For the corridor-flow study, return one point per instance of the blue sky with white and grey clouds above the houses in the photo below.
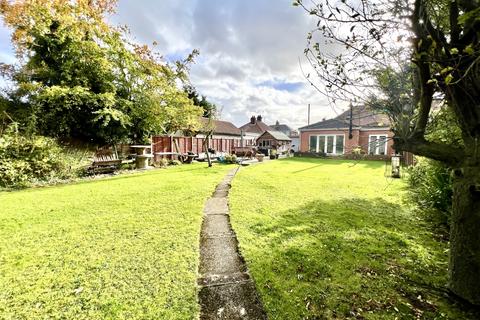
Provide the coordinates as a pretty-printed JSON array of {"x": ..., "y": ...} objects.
[{"x": 250, "y": 51}]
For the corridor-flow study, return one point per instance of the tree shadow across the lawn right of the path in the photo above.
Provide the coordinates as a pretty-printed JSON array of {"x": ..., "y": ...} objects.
[{"x": 344, "y": 258}]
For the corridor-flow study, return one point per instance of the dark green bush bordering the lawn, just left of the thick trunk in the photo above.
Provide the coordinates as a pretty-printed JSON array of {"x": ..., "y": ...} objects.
[{"x": 430, "y": 186}]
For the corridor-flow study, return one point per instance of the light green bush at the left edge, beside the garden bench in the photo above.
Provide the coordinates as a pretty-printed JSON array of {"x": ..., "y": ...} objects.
[{"x": 26, "y": 160}]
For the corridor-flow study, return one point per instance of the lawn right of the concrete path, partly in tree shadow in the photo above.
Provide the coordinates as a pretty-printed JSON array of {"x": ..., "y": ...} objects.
[{"x": 327, "y": 239}]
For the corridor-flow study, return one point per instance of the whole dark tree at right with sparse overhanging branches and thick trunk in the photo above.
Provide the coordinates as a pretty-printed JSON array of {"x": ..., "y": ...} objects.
[{"x": 442, "y": 38}]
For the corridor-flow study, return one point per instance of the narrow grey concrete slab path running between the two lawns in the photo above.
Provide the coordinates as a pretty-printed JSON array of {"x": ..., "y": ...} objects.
[{"x": 226, "y": 288}]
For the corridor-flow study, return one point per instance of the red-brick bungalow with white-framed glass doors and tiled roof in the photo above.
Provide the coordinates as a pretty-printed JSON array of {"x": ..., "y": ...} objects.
[{"x": 370, "y": 134}]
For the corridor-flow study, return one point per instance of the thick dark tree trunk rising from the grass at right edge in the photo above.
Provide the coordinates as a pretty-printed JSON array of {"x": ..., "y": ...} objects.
[{"x": 465, "y": 235}]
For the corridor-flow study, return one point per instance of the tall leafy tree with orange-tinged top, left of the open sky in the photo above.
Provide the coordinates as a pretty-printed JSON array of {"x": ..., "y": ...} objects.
[{"x": 82, "y": 78}]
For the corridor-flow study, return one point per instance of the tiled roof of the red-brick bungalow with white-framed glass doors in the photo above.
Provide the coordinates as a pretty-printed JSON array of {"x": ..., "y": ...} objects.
[{"x": 362, "y": 117}]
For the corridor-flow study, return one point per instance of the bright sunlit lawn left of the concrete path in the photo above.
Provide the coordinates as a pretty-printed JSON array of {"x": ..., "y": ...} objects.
[{"x": 119, "y": 248}]
